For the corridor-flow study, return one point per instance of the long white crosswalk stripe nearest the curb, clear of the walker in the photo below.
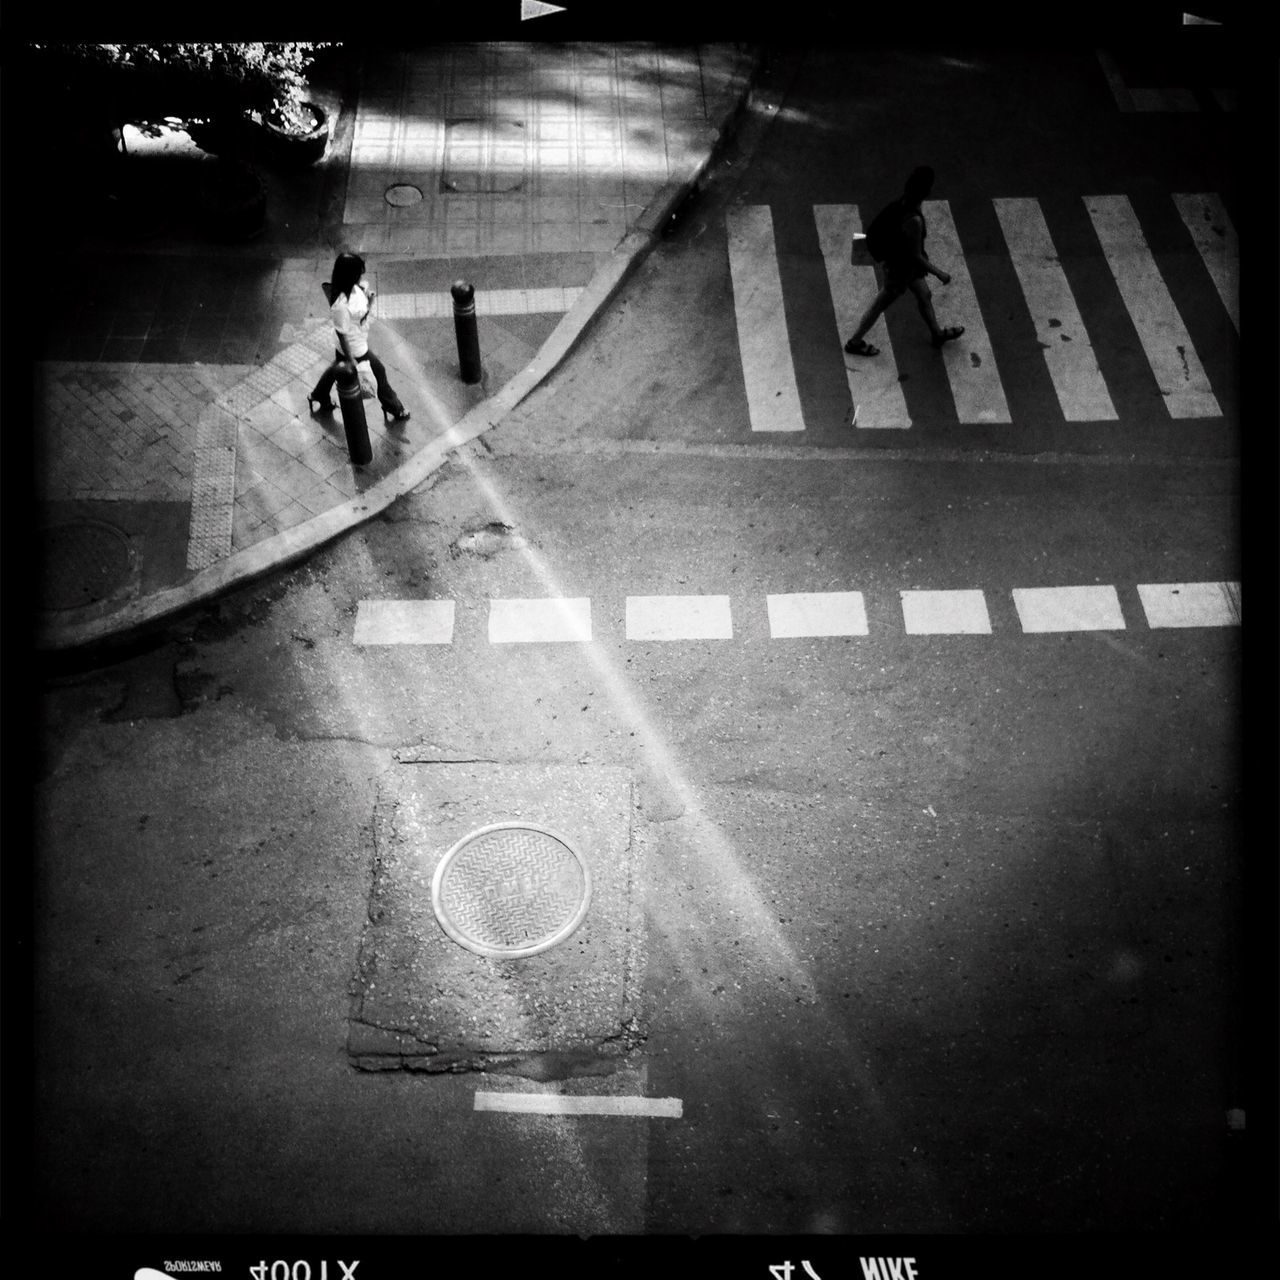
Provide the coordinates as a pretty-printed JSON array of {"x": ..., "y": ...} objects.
[{"x": 772, "y": 396}]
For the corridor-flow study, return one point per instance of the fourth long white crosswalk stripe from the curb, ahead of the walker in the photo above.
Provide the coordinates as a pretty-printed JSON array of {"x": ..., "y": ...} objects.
[{"x": 1068, "y": 353}]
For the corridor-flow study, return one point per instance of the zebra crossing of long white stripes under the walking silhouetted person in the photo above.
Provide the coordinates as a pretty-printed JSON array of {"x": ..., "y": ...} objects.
[{"x": 1064, "y": 332}]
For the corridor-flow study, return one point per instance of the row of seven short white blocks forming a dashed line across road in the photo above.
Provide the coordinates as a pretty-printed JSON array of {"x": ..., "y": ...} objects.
[{"x": 801, "y": 615}]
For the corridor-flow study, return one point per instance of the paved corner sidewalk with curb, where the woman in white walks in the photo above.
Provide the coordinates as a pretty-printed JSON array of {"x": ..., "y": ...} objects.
[{"x": 177, "y": 456}]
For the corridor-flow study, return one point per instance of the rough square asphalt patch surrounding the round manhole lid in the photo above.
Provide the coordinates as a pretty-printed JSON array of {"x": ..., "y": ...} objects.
[{"x": 424, "y": 1003}]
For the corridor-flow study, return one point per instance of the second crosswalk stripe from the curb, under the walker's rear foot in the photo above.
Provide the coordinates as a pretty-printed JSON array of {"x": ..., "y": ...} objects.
[{"x": 874, "y": 385}]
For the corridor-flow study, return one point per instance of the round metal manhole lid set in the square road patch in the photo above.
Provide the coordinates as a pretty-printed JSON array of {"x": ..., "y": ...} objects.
[{"x": 511, "y": 890}]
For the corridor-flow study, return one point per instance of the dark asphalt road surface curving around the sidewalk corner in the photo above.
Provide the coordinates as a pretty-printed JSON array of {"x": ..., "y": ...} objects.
[{"x": 941, "y": 932}]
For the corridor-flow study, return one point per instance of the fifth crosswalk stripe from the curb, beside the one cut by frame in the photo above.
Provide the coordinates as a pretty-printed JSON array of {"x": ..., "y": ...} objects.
[{"x": 1165, "y": 340}]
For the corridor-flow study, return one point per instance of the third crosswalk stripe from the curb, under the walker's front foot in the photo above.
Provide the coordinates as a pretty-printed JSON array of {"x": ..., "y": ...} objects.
[{"x": 971, "y": 363}]
